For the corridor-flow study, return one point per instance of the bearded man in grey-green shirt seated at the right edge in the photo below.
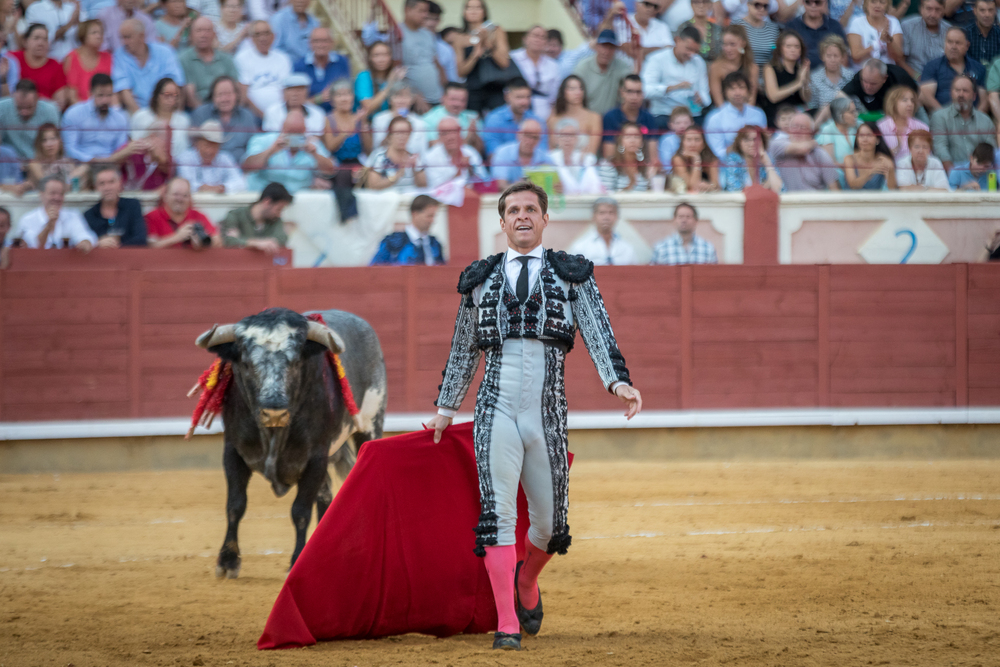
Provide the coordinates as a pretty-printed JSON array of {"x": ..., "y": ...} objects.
[{"x": 958, "y": 128}]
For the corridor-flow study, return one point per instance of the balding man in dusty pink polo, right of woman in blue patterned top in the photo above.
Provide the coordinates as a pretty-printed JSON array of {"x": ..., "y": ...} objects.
[{"x": 801, "y": 163}]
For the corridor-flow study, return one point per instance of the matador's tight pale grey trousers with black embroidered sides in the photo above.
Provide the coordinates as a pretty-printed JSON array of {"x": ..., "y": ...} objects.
[{"x": 521, "y": 437}]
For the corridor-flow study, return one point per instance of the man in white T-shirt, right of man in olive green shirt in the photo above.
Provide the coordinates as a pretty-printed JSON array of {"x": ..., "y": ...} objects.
[{"x": 262, "y": 69}]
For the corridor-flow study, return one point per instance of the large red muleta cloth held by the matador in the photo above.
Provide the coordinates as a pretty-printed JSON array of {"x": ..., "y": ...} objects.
[{"x": 394, "y": 552}]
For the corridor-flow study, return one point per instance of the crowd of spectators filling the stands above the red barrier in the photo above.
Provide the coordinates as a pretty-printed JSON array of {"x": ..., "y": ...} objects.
[{"x": 180, "y": 97}]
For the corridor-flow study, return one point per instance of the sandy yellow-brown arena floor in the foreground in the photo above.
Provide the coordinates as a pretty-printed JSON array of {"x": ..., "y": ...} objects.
[{"x": 748, "y": 564}]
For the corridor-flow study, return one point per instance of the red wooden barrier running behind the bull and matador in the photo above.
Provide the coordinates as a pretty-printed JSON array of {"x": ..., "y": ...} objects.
[{"x": 111, "y": 335}]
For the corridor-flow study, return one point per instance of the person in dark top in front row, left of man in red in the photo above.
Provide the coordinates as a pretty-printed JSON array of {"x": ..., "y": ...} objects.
[{"x": 116, "y": 221}]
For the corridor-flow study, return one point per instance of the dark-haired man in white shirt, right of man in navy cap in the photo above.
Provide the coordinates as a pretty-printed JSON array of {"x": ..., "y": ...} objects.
[{"x": 677, "y": 76}]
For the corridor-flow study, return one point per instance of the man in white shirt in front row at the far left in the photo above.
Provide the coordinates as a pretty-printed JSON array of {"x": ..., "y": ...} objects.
[{"x": 52, "y": 226}]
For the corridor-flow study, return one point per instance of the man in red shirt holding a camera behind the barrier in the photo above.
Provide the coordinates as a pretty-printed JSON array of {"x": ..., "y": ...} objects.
[{"x": 176, "y": 224}]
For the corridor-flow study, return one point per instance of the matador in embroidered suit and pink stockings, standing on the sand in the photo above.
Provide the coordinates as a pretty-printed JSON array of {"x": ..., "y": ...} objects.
[{"x": 522, "y": 308}]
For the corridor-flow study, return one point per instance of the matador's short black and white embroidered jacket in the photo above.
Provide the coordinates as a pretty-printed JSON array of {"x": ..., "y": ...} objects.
[{"x": 563, "y": 300}]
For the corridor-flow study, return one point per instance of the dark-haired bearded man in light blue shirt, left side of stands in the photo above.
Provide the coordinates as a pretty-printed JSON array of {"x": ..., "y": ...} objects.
[{"x": 94, "y": 131}]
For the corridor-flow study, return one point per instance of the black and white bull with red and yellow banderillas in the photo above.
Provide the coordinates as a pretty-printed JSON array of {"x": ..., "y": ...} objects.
[{"x": 284, "y": 413}]
